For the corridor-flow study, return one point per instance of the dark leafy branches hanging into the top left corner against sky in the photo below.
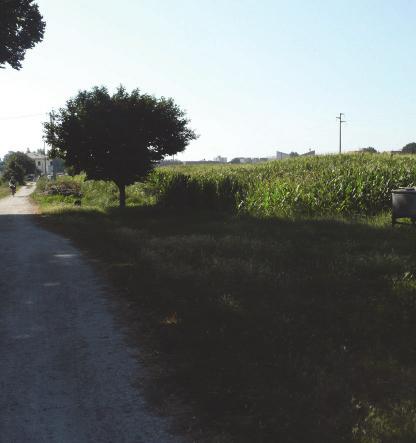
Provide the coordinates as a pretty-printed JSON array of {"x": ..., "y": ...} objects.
[{"x": 21, "y": 27}]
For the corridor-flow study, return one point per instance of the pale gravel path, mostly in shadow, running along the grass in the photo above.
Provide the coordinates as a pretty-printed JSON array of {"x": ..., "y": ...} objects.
[{"x": 65, "y": 371}]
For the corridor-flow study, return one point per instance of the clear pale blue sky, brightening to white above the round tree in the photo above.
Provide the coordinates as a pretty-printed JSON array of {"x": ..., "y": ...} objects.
[{"x": 254, "y": 77}]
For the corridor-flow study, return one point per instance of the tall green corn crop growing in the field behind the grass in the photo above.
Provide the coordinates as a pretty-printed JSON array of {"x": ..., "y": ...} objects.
[{"x": 324, "y": 185}]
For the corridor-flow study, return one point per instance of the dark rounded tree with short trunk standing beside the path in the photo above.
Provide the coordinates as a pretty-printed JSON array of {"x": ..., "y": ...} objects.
[{"x": 118, "y": 137}]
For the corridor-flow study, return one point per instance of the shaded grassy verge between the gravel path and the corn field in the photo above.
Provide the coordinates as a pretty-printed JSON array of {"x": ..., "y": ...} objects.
[{"x": 268, "y": 329}]
